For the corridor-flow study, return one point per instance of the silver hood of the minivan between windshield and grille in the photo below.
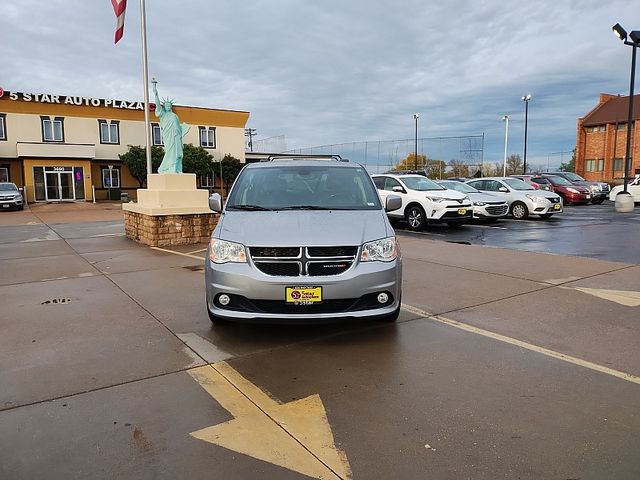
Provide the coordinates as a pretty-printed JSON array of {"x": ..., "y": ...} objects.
[{"x": 293, "y": 228}]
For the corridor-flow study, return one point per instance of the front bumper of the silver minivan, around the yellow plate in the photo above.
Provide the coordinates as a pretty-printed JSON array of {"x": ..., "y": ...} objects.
[{"x": 255, "y": 295}]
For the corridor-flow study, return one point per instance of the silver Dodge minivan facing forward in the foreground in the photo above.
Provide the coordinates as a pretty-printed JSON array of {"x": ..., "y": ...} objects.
[{"x": 301, "y": 240}]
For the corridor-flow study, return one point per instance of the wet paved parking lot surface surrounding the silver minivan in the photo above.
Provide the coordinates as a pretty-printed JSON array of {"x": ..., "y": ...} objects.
[{"x": 505, "y": 363}]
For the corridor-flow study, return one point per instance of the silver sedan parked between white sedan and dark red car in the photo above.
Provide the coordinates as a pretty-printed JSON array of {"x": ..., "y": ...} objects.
[{"x": 523, "y": 199}]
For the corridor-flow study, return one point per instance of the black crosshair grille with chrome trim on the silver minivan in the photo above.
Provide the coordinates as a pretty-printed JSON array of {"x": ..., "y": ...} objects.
[{"x": 303, "y": 261}]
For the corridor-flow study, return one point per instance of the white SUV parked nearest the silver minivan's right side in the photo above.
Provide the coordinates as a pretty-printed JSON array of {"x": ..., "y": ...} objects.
[{"x": 424, "y": 201}]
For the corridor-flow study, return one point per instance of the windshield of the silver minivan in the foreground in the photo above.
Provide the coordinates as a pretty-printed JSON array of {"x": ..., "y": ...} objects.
[{"x": 303, "y": 187}]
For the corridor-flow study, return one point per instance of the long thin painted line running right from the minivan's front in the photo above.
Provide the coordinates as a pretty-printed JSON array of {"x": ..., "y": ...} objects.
[{"x": 529, "y": 346}]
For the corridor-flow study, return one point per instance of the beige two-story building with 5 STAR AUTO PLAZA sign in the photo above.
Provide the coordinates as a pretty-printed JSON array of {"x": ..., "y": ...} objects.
[{"x": 63, "y": 148}]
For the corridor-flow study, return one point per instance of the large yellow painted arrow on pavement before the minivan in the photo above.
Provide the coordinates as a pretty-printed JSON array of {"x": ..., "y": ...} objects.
[{"x": 295, "y": 435}]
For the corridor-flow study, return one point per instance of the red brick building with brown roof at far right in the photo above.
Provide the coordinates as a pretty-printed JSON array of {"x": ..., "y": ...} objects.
[{"x": 602, "y": 137}]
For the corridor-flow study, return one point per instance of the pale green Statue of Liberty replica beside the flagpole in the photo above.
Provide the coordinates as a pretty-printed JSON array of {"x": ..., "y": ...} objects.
[{"x": 172, "y": 132}]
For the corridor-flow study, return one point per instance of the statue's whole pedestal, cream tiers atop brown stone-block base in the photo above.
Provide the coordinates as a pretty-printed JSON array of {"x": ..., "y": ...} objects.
[{"x": 171, "y": 211}]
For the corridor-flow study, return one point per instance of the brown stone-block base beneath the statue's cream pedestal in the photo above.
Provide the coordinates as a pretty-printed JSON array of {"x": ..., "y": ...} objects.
[{"x": 169, "y": 230}]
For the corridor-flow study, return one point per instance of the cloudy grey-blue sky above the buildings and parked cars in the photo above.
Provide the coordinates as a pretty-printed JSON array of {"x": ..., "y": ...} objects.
[{"x": 327, "y": 72}]
